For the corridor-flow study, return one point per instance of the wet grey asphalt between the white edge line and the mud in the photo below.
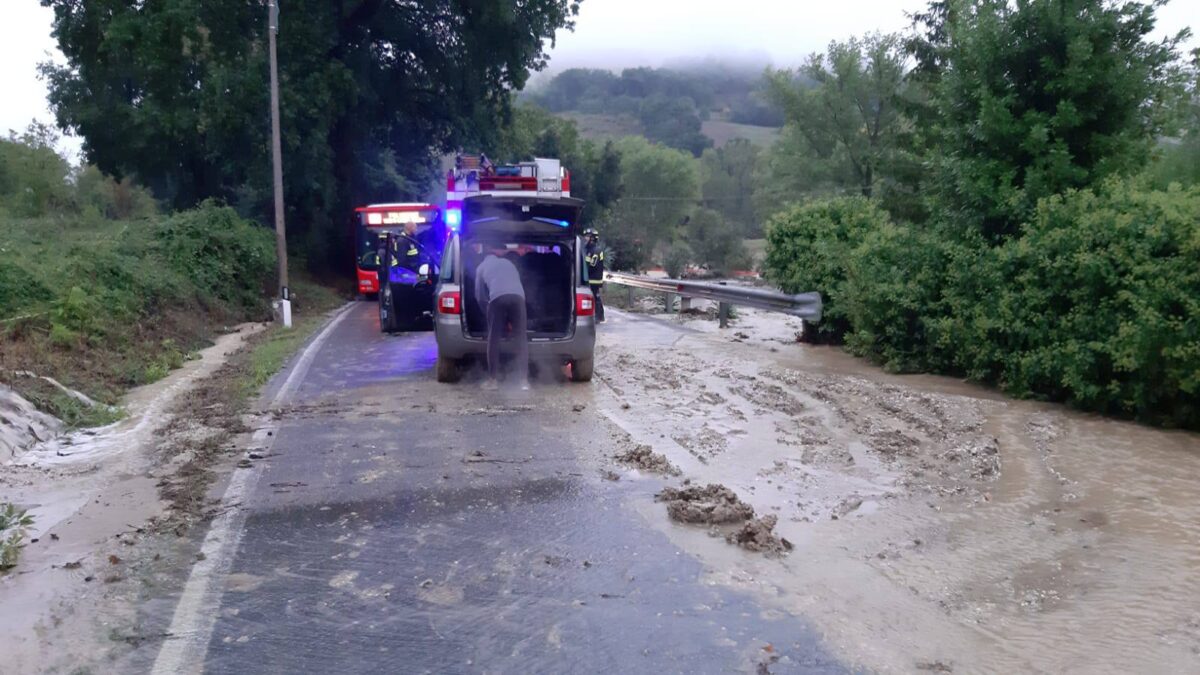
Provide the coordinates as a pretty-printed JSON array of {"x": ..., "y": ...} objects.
[{"x": 409, "y": 527}]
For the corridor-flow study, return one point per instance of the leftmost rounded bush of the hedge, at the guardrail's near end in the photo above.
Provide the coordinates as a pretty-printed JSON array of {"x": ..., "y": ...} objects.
[{"x": 809, "y": 248}]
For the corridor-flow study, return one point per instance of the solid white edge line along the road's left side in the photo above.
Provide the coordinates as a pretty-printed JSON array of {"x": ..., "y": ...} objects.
[{"x": 191, "y": 628}]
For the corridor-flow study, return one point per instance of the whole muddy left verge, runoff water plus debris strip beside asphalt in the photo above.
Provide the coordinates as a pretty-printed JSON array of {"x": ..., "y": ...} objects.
[{"x": 100, "y": 499}]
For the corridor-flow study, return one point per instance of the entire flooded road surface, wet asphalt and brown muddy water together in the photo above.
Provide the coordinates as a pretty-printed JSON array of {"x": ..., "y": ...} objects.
[{"x": 382, "y": 522}]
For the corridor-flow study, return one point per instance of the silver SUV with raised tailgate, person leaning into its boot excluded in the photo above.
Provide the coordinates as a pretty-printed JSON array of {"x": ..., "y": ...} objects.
[{"x": 542, "y": 236}]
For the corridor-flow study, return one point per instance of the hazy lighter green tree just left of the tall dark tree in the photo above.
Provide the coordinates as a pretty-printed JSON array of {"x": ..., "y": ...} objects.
[{"x": 844, "y": 112}]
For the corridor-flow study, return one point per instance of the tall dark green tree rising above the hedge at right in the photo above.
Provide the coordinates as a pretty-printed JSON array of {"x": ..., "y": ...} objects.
[{"x": 1037, "y": 98}]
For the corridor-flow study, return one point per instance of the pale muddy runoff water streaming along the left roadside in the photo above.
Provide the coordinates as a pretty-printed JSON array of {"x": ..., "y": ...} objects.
[{"x": 88, "y": 492}]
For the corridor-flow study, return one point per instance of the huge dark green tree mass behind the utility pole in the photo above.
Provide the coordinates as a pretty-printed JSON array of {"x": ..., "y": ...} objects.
[{"x": 371, "y": 92}]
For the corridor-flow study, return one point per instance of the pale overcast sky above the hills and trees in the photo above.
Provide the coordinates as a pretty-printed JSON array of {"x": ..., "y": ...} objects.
[{"x": 609, "y": 33}]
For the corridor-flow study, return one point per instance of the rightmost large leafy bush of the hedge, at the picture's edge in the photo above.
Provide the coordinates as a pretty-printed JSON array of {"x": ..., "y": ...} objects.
[{"x": 1103, "y": 306}]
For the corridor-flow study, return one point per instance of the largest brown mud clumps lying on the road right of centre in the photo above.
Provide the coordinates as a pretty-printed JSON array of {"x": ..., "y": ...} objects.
[{"x": 717, "y": 505}]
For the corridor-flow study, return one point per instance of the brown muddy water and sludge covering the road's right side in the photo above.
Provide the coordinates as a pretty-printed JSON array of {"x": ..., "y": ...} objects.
[{"x": 938, "y": 524}]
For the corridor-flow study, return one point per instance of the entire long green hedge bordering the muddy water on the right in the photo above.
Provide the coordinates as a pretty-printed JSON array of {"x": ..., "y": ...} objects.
[{"x": 1097, "y": 303}]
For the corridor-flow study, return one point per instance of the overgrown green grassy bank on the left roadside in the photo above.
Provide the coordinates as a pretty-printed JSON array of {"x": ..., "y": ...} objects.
[{"x": 106, "y": 306}]
